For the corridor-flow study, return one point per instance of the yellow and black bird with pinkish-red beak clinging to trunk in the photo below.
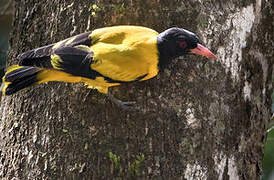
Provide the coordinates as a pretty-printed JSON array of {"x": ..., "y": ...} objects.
[{"x": 103, "y": 58}]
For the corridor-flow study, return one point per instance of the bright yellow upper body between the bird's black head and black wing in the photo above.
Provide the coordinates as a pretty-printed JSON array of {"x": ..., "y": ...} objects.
[{"x": 125, "y": 53}]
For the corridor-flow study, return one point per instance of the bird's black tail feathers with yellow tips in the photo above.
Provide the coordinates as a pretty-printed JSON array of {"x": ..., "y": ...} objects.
[{"x": 19, "y": 77}]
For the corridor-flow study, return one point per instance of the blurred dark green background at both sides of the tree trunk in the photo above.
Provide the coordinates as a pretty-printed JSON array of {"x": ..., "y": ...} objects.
[{"x": 5, "y": 29}]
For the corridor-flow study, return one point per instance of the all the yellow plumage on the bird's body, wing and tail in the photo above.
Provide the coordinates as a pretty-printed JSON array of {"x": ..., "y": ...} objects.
[{"x": 119, "y": 53}]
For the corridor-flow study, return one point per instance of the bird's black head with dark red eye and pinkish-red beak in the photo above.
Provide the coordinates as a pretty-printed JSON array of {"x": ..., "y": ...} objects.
[{"x": 175, "y": 42}]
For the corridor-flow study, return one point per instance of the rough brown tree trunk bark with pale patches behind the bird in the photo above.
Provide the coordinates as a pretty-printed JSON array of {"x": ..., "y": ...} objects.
[{"x": 196, "y": 120}]
